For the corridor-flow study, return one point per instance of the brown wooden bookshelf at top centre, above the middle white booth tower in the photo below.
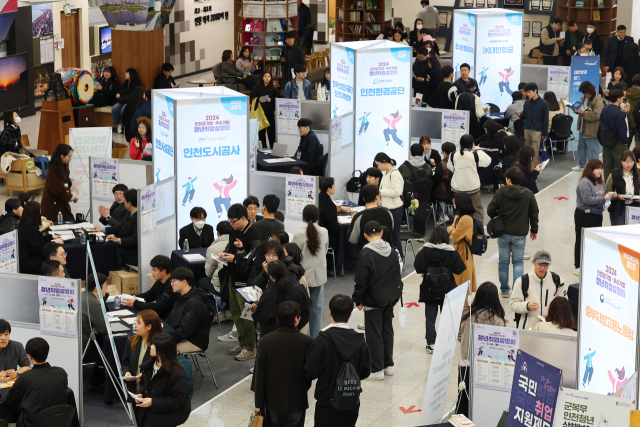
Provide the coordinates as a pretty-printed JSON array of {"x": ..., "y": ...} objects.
[{"x": 359, "y": 19}]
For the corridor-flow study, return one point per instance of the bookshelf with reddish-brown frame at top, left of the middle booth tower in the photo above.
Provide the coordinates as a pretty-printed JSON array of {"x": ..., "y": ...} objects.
[{"x": 261, "y": 26}]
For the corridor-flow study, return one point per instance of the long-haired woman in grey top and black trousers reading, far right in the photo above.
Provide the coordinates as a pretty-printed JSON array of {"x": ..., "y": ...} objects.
[{"x": 591, "y": 195}]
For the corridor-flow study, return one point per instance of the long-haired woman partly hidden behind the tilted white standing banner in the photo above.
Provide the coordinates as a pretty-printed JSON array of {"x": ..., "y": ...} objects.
[{"x": 485, "y": 309}]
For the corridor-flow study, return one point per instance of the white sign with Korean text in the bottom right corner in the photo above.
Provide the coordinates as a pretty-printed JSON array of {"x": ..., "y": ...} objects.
[{"x": 583, "y": 409}]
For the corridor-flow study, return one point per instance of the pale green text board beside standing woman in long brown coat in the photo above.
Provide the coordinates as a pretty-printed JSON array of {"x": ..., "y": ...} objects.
[{"x": 86, "y": 142}]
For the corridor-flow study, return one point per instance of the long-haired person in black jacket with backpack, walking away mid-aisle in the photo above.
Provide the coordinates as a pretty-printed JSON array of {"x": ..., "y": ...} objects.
[{"x": 437, "y": 261}]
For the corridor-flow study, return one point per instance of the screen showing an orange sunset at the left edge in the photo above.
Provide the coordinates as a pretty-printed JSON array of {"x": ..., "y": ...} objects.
[{"x": 14, "y": 82}]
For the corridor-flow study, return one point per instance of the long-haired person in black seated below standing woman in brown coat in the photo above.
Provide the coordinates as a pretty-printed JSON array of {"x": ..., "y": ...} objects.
[{"x": 31, "y": 240}]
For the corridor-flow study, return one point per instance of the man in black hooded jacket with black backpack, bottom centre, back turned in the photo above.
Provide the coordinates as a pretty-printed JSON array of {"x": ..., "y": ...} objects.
[{"x": 338, "y": 352}]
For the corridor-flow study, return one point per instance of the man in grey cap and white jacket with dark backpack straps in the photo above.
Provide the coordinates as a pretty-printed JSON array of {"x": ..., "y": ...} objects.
[{"x": 532, "y": 293}]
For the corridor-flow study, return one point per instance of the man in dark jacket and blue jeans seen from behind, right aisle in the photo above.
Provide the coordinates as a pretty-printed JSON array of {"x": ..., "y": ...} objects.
[{"x": 518, "y": 209}]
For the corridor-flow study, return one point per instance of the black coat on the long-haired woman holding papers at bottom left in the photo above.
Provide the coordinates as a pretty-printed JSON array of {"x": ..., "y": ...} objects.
[{"x": 169, "y": 393}]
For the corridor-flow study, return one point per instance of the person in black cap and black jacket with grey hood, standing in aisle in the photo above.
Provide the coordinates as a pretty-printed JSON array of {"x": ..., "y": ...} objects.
[{"x": 378, "y": 285}]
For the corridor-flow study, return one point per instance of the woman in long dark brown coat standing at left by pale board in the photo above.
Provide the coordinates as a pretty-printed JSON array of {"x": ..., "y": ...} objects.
[{"x": 57, "y": 186}]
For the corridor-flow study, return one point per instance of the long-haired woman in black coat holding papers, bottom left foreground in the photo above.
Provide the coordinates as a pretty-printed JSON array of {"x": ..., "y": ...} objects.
[{"x": 164, "y": 387}]
